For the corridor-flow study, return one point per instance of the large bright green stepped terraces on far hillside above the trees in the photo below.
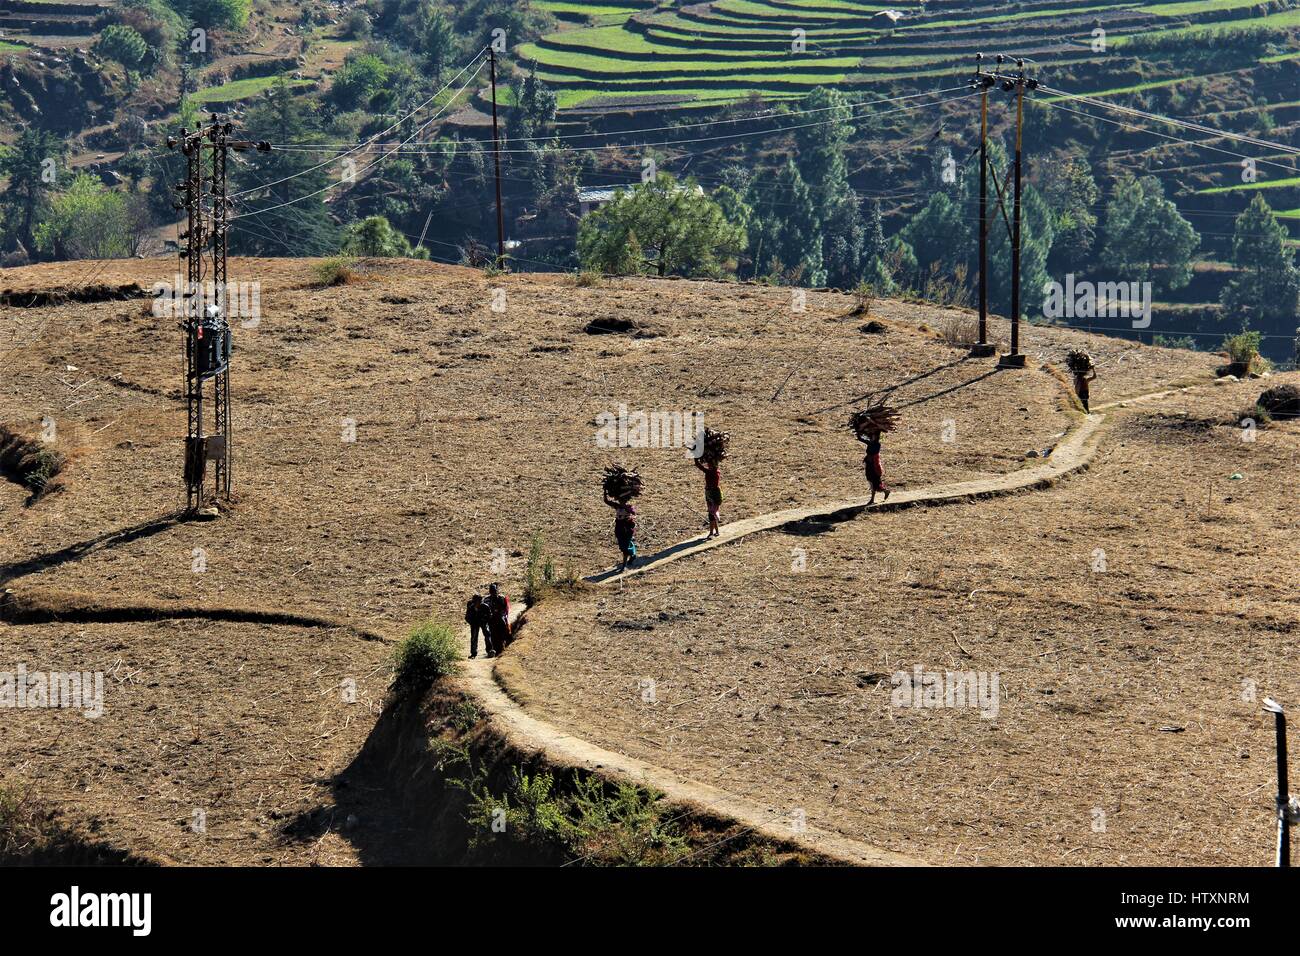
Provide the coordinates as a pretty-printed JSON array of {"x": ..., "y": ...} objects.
[{"x": 619, "y": 54}]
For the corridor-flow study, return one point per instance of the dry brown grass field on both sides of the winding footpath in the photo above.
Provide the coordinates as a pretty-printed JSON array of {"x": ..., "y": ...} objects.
[{"x": 475, "y": 427}]
